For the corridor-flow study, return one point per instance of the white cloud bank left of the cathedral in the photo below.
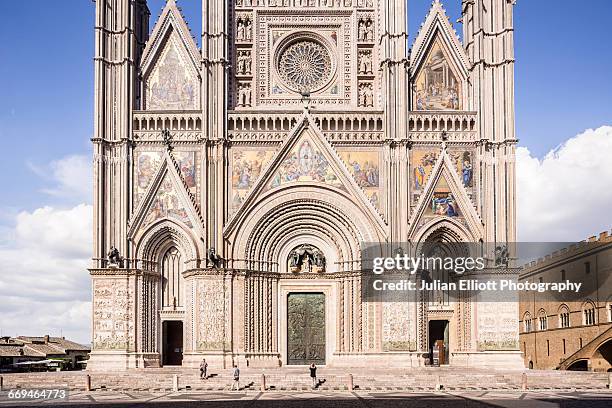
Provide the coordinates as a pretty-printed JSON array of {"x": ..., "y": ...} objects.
[{"x": 44, "y": 256}]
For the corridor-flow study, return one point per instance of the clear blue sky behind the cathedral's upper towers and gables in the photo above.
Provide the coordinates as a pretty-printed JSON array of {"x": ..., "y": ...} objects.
[{"x": 563, "y": 85}]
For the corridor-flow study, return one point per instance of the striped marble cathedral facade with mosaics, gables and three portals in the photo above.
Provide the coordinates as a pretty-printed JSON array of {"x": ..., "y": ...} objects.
[{"x": 237, "y": 183}]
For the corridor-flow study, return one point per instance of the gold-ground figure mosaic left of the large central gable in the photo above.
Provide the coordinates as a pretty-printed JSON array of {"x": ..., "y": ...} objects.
[{"x": 246, "y": 169}]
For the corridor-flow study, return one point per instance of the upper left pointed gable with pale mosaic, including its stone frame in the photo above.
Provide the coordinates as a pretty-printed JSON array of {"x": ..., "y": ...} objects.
[{"x": 170, "y": 64}]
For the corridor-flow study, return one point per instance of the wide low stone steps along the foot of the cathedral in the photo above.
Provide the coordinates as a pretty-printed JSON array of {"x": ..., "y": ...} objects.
[{"x": 334, "y": 379}]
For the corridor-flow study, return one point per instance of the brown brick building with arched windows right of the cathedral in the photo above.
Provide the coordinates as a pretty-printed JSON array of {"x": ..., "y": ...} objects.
[{"x": 565, "y": 332}]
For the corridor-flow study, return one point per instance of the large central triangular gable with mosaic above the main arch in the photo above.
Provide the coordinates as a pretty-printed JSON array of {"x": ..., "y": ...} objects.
[{"x": 306, "y": 158}]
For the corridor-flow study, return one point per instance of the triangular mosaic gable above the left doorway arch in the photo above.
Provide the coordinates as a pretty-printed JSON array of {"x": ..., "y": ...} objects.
[{"x": 167, "y": 197}]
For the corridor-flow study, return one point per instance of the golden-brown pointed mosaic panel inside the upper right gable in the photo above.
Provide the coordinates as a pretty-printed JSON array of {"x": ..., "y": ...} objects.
[{"x": 436, "y": 85}]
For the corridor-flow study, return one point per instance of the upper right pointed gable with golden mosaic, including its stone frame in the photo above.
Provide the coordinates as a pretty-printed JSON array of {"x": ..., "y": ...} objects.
[{"x": 439, "y": 65}]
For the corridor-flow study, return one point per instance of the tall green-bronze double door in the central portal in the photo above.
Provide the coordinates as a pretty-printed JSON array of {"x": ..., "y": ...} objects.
[{"x": 305, "y": 328}]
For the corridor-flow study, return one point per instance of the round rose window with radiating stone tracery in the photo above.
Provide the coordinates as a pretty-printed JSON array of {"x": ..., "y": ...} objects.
[{"x": 305, "y": 65}]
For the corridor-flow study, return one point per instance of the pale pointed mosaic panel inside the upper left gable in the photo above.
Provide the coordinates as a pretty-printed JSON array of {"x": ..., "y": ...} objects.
[{"x": 172, "y": 85}]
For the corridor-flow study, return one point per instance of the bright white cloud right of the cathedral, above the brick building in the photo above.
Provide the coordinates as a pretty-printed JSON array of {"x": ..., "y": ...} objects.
[{"x": 566, "y": 196}]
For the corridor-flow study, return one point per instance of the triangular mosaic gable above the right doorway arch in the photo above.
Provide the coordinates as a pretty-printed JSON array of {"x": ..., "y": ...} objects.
[{"x": 444, "y": 196}]
